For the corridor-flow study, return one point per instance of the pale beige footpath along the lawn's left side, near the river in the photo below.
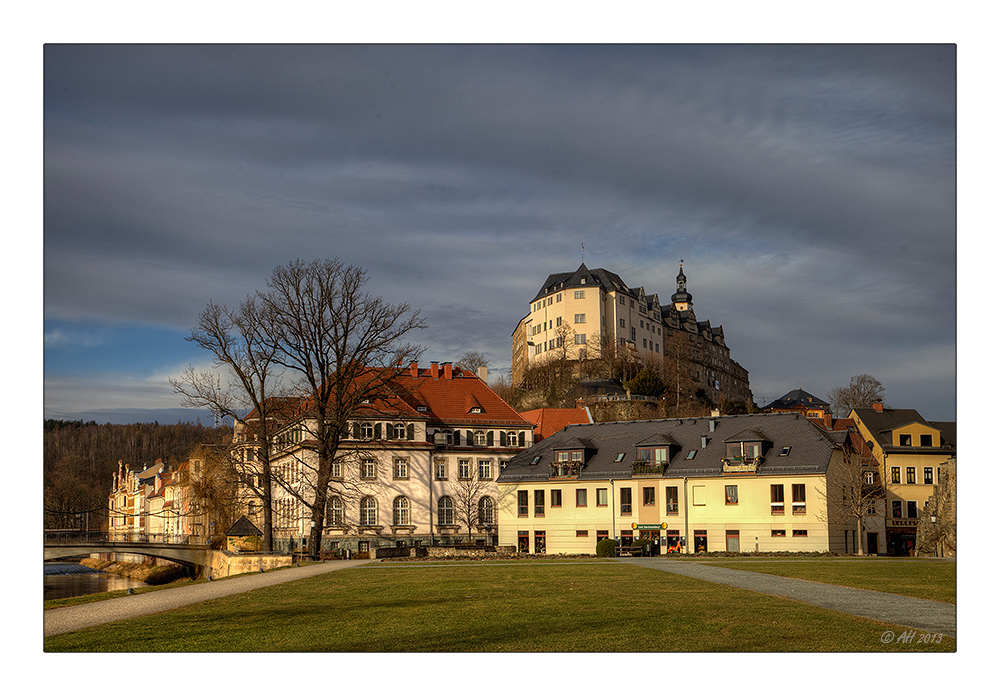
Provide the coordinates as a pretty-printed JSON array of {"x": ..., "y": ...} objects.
[{"x": 74, "y": 618}]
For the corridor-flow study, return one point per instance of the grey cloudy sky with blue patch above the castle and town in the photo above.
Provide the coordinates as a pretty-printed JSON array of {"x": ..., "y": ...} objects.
[{"x": 810, "y": 191}]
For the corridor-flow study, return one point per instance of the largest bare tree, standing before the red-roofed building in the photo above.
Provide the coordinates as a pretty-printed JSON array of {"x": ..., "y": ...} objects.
[{"x": 344, "y": 345}]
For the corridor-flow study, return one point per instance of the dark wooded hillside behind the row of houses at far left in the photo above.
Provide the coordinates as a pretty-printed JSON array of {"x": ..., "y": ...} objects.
[{"x": 80, "y": 459}]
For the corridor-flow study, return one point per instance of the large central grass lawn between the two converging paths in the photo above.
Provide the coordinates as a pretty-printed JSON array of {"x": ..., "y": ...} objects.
[{"x": 536, "y": 607}]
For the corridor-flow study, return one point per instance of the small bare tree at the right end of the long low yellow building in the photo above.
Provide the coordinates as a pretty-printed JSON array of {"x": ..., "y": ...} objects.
[{"x": 854, "y": 490}]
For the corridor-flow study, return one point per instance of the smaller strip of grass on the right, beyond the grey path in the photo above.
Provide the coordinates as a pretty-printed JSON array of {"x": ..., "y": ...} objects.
[{"x": 926, "y": 579}]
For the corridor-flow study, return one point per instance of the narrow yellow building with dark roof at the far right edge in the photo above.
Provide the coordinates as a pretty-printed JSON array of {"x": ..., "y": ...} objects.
[{"x": 911, "y": 452}]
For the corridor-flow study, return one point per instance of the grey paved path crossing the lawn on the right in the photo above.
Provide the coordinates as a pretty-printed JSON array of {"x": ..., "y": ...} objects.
[{"x": 922, "y": 614}]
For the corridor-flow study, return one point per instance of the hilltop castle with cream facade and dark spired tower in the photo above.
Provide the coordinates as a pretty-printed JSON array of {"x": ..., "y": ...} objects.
[{"x": 588, "y": 313}]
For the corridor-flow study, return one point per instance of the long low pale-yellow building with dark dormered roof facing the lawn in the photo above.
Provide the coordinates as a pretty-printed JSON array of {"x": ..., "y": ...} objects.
[{"x": 724, "y": 483}]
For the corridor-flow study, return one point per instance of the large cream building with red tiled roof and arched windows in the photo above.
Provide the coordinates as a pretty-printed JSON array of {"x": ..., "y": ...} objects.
[{"x": 416, "y": 468}]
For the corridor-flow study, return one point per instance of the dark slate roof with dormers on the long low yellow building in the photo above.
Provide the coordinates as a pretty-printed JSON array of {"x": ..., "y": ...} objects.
[{"x": 810, "y": 447}]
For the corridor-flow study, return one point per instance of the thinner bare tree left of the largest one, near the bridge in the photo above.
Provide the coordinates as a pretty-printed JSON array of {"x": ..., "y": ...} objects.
[{"x": 240, "y": 348}]
